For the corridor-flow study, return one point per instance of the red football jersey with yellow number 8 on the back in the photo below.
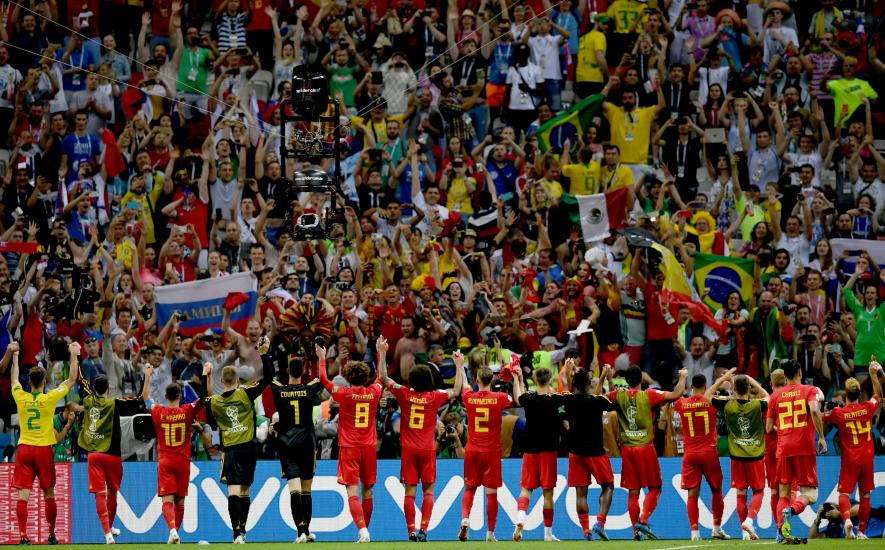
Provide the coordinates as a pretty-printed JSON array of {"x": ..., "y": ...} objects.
[{"x": 356, "y": 417}]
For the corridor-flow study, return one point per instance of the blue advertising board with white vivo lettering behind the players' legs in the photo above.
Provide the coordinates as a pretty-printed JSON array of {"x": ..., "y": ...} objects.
[{"x": 140, "y": 519}]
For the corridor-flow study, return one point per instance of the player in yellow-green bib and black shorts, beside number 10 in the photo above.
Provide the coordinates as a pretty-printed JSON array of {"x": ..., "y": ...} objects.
[{"x": 233, "y": 412}]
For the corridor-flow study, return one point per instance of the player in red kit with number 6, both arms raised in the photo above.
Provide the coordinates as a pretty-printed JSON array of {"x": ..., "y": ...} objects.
[{"x": 419, "y": 405}]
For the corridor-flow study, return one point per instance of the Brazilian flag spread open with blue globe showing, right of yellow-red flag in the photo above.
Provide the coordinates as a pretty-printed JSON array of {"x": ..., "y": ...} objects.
[{"x": 721, "y": 275}]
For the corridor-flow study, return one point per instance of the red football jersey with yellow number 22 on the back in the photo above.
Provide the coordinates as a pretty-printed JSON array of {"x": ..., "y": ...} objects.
[{"x": 790, "y": 407}]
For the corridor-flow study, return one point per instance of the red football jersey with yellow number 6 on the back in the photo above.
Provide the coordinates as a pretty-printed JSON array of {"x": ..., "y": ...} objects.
[{"x": 417, "y": 425}]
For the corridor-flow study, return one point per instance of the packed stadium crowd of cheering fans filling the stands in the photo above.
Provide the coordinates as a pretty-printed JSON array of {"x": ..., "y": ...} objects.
[{"x": 142, "y": 151}]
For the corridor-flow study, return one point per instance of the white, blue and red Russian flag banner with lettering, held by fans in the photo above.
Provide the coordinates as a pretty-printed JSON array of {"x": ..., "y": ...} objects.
[{"x": 203, "y": 302}]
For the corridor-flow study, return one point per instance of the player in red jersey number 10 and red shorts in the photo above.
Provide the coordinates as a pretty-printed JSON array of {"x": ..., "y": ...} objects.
[{"x": 173, "y": 423}]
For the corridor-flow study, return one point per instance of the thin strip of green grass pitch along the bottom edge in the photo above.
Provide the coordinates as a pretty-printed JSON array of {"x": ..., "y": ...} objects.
[{"x": 818, "y": 544}]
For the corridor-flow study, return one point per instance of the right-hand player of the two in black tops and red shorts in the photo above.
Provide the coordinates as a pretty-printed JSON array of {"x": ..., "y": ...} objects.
[{"x": 587, "y": 456}]
